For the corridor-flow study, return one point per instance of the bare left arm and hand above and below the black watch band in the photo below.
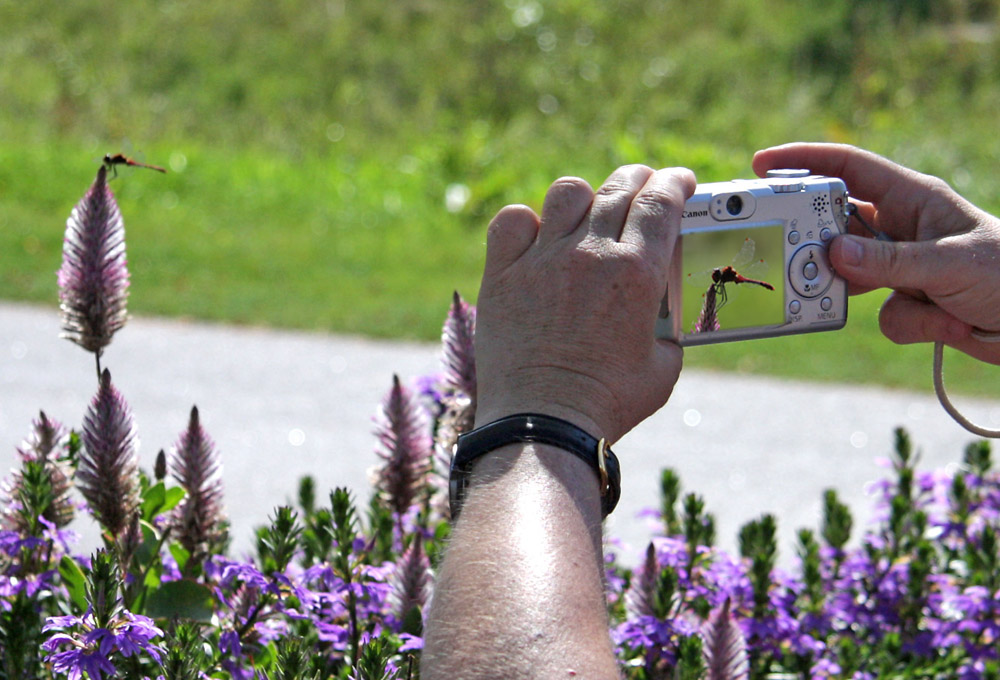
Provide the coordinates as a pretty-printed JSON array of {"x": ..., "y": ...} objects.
[{"x": 564, "y": 328}]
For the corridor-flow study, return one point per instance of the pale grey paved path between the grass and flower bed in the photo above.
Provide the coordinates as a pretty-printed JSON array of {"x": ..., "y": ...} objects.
[{"x": 283, "y": 404}]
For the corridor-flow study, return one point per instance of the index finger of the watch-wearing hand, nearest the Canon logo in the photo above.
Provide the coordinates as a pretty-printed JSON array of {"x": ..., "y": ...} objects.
[{"x": 654, "y": 218}]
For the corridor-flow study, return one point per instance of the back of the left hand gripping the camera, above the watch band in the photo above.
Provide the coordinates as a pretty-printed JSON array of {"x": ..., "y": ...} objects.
[{"x": 568, "y": 302}]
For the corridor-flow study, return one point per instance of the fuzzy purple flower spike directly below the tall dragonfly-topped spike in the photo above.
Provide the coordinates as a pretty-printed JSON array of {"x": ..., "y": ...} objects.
[{"x": 108, "y": 475}]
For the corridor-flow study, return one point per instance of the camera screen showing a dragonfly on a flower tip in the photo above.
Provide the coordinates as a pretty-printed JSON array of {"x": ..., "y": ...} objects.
[{"x": 733, "y": 278}]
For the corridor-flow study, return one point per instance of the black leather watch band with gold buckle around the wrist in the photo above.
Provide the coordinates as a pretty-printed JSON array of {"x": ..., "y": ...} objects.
[{"x": 531, "y": 427}]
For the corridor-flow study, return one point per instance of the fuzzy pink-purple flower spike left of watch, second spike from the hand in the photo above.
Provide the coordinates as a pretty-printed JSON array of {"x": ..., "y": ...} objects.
[{"x": 404, "y": 444}]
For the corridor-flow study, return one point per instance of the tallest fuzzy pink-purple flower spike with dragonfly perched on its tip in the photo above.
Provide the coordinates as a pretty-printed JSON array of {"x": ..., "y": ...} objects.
[{"x": 94, "y": 278}]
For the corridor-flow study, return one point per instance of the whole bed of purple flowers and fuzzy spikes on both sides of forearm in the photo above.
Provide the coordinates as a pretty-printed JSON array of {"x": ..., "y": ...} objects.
[{"x": 336, "y": 593}]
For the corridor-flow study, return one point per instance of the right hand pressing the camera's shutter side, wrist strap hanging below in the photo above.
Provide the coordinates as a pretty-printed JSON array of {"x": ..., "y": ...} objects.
[{"x": 944, "y": 263}]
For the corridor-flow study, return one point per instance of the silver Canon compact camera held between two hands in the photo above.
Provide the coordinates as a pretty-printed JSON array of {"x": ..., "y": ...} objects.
[{"x": 752, "y": 260}]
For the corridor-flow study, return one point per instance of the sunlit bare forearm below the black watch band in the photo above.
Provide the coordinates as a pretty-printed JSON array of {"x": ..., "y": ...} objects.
[{"x": 520, "y": 592}]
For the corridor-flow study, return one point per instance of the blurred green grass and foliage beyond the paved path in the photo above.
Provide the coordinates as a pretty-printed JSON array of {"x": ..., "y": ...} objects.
[{"x": 334, "y": 164}]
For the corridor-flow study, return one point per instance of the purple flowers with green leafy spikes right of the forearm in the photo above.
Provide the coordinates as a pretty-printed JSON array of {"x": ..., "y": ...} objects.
[{"x": 919, "y": 596}]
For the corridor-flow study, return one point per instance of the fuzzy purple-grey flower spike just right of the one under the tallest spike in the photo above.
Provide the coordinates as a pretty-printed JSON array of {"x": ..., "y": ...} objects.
[{"x": 194, "y": 462}]
